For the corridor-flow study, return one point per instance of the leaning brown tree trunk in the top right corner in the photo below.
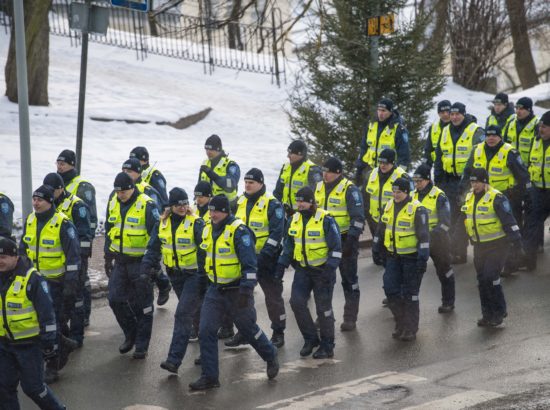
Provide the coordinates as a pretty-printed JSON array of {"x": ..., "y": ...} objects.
[{"x": 525, "y": 65}]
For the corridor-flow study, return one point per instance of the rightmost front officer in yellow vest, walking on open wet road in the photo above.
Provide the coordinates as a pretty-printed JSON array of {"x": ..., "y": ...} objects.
[{"x": 491, "y": 227}]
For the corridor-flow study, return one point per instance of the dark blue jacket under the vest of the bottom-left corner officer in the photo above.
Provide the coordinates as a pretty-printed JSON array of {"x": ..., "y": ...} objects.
[{"x": 39, "y": 294}]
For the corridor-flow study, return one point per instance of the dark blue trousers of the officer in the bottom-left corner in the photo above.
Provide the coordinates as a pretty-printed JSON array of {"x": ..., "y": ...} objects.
[{"x": 25, "y": 364}]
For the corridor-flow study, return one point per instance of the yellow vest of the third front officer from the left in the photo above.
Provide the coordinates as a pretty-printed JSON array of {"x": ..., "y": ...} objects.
[{"x": 134, "y": 230}]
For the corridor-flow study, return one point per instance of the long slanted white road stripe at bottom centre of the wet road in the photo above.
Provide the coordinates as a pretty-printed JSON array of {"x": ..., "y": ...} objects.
[{"x": 331, "y": 395}]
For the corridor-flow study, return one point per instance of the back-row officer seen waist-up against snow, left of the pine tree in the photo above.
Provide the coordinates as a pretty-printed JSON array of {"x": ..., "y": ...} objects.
[{"x": 221, "y": 172}]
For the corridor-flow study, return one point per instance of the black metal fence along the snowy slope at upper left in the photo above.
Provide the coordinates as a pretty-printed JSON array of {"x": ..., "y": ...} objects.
[{"x": 213, "y": 43}]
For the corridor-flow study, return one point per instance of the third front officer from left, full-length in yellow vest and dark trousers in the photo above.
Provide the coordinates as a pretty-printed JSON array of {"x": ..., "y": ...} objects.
[{"x": 131, "y": 217}]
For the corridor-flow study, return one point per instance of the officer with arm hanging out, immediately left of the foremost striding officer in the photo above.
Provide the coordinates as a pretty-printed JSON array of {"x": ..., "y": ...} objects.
[{"x": 176, "y": 238}]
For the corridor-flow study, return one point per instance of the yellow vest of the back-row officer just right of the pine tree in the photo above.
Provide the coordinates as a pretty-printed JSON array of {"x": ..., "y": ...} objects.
[{"x": 455, "y": 157}]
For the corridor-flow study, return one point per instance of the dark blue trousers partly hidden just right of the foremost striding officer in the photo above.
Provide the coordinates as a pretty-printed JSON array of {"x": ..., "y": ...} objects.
[{"x": 273, "y": 292}]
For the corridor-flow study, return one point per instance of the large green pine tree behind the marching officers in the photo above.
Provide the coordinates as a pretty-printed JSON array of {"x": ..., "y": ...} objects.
[{"x": 337, "y": 91}]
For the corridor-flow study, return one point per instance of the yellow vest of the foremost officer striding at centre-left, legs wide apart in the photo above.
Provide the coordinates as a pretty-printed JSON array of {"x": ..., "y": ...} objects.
[{"x": 221, "y": 263}]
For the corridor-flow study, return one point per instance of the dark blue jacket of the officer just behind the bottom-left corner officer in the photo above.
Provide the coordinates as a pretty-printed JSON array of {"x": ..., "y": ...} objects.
[{"x": 69, "y": 243}]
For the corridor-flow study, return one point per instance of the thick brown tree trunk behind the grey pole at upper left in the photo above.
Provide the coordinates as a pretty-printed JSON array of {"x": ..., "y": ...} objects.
[{"x": 37, "y": 32}]
